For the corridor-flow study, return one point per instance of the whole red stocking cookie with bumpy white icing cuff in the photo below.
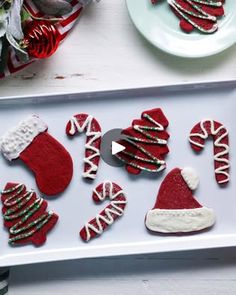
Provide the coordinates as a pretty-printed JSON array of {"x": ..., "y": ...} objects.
[{"x": 42, "y": 154}]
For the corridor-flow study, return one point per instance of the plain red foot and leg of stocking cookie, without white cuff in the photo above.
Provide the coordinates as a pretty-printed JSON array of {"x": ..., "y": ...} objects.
[{"x": 50, "y": 162}]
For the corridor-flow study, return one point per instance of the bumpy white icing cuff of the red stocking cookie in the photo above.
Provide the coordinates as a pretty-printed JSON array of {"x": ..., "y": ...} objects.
[{"x": 16, "y": 140}]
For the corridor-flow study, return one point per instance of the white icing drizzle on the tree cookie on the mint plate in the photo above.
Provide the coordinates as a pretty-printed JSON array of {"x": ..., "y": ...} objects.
[{"x": 185, "y": 13}]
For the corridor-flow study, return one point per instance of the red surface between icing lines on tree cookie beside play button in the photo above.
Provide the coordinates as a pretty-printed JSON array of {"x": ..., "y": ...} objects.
[{"x": 157, "y": 150}]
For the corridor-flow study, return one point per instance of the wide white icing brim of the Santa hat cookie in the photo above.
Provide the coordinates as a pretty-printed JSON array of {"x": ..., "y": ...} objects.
[{"x": 181, "y": 220}]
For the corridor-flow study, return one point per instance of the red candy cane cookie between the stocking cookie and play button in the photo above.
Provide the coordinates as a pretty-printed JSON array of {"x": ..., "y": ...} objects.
[{"x": 86, "y": 123}]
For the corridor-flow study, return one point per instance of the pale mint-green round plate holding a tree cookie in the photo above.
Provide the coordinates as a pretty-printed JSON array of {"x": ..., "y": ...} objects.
[{"x": 159, "y": 25}]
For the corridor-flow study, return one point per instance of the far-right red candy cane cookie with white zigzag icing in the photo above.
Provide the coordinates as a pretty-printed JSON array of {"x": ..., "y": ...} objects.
[{"x": 218, "y": 131}]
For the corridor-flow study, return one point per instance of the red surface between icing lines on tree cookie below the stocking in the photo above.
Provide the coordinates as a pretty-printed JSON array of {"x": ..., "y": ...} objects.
[{"x": 39, "y": 237}]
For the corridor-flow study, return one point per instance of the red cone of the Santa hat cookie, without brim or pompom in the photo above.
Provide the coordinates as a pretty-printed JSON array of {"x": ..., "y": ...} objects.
[{"x": 174, "y": 193}]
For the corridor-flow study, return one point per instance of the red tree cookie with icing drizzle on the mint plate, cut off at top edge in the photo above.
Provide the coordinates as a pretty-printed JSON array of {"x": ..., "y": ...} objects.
[{"x": 198, "y": 14}]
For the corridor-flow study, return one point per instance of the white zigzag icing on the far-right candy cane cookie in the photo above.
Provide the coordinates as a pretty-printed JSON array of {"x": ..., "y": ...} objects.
[{"x": 220, "y": 156}]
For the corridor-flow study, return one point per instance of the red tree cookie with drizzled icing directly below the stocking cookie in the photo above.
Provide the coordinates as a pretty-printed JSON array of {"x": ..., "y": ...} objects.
[{"x": 25, "y": 215}]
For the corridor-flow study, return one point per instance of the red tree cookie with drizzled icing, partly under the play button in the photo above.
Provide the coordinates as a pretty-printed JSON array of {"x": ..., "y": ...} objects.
[{"x": 145, "y": 143}]
